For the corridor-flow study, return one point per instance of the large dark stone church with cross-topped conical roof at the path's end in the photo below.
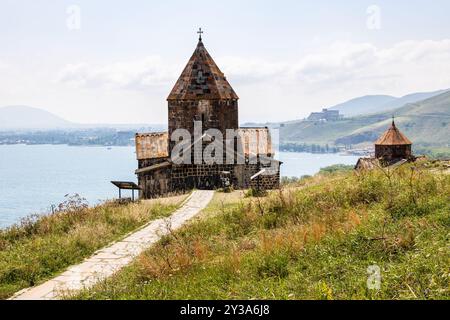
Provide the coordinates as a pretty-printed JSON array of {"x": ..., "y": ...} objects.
[{"x": 202, "y": 97}]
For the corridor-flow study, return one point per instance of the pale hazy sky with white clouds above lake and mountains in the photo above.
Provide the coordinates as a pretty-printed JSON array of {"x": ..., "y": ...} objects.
[{"x": 105, "y": 61}]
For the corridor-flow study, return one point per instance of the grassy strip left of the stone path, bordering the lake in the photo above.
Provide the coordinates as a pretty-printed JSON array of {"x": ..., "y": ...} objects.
[{"x": 42, "y": 246}]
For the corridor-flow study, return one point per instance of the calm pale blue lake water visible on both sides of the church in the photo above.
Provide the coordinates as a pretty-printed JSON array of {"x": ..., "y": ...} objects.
[{"x": 32, "y": 178}]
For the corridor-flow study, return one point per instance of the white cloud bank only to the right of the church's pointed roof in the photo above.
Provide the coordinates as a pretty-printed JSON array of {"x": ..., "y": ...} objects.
[{"x": 350, "y": 63}]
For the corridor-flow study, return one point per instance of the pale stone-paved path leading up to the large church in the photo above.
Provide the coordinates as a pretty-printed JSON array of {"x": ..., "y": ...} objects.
[{"x": 109, "y": 260}]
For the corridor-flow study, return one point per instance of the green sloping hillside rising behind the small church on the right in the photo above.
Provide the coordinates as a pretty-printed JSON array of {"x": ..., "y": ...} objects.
[{"x": 426, "y": 123}]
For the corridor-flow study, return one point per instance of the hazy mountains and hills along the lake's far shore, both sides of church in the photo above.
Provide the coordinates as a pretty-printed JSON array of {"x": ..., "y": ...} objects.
[{"x": 423, "y": 117}]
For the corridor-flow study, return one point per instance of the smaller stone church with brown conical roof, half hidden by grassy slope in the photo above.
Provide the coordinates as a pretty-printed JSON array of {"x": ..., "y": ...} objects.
[{"x": 391, "y": 148}]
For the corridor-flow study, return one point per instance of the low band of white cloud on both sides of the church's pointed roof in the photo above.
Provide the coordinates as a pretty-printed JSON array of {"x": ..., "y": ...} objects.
[{"x": 408, "y": 65}]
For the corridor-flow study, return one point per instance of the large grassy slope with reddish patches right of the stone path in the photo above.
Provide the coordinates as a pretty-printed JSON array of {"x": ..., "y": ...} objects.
[{"x": 314, "y": 240}]
